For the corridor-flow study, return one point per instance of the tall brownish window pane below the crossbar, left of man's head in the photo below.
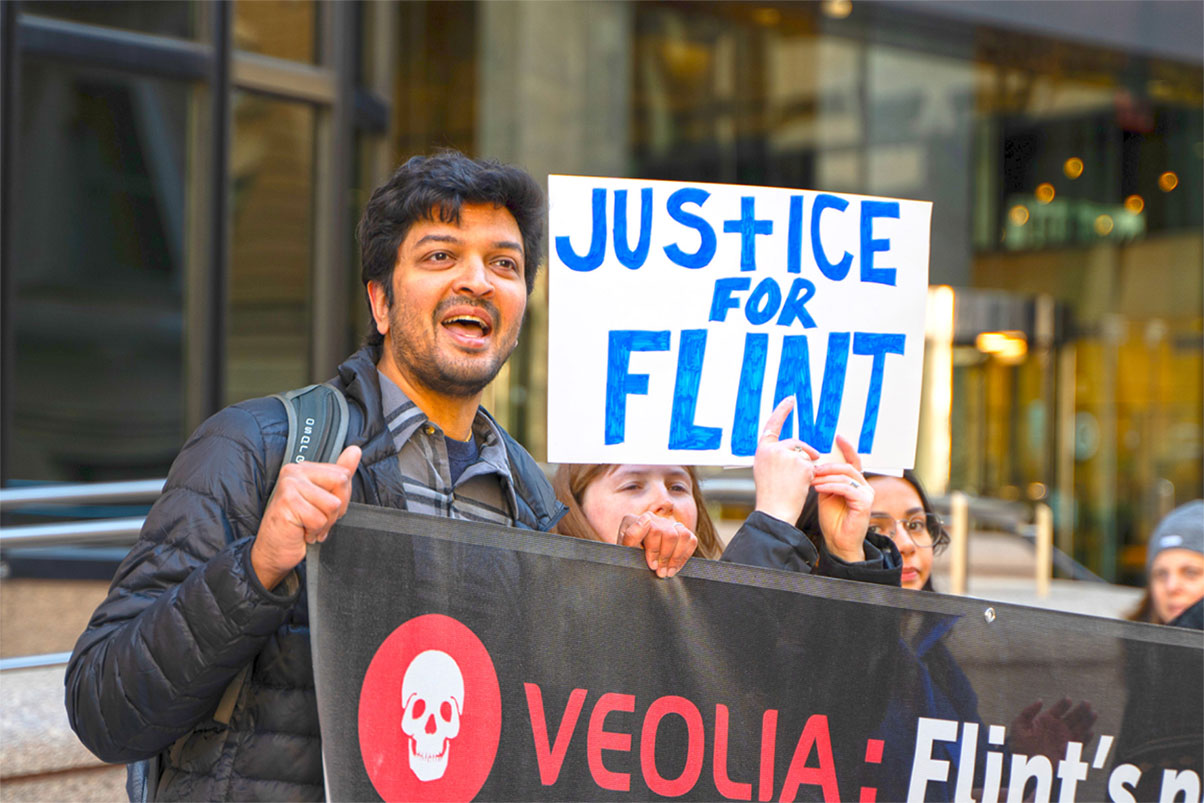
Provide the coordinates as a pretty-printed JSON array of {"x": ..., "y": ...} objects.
[{"x": 272, "y": 251}]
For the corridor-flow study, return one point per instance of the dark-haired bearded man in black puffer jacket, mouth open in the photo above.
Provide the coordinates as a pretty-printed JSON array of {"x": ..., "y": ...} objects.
[{"x": 200, "y": 654}]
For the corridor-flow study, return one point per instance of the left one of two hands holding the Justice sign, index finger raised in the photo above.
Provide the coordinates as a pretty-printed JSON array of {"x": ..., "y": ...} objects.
[{"x": 782, "y": 470}]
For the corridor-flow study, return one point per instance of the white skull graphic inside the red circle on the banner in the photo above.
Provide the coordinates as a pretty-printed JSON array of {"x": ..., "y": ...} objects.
[{"x": 433, "y": 700}]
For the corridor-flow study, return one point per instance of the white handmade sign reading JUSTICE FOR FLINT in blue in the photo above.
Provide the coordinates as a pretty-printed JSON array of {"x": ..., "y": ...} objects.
[{"x": 681, "y": 314}]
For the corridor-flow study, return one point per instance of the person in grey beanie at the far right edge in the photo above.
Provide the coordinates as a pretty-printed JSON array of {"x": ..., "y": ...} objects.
[{"x": 1176, "y": 569}]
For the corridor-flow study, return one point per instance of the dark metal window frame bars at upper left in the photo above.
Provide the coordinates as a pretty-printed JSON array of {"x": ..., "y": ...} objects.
[{"x": 211, "y": 64}]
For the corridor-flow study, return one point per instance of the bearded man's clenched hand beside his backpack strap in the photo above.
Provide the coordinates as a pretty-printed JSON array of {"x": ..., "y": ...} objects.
[{"x": 309, "y": 499}]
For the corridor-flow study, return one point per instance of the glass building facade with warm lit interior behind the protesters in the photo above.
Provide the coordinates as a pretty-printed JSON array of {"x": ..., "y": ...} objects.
[{"x": 182, "y": 180}]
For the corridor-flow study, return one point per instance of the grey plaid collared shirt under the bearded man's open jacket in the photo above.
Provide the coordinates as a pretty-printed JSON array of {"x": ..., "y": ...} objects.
[{"x": 483, "y": 493}]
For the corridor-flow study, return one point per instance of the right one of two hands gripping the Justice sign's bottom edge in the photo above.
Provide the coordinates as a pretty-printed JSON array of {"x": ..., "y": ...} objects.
[{"x": 846, "y": 500}]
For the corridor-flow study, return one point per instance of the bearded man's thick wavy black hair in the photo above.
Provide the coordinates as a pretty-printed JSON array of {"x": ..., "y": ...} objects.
[{"x": 426, "y": 188}]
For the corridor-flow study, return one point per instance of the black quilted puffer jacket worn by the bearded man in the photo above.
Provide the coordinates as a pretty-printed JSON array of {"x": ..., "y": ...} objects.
[{"x": 186, "y": 613}]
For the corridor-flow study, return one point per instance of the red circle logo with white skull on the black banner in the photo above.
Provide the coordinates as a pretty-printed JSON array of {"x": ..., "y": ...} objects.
[{"x": 430, "y": 713}]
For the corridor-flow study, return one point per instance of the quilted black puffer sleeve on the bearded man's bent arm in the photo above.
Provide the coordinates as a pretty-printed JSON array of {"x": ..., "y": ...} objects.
[{"x": 186, "y": 611}]
